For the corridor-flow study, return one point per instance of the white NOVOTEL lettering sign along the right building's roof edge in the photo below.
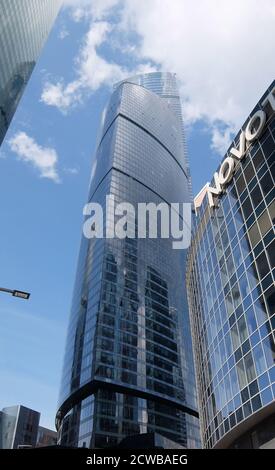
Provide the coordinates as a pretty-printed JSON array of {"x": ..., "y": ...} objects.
[{"x": 251, "y": 133}]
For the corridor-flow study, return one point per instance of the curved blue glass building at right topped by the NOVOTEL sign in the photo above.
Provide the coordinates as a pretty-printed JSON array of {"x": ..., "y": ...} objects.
[{"x": 231, "y": 293}]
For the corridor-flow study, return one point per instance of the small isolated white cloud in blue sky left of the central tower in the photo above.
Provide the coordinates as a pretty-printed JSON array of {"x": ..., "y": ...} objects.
[{"x": 44, "y": 159}]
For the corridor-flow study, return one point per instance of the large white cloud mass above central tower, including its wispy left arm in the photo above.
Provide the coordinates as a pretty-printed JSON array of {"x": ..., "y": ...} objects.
[{"x": 221, "y": 51}]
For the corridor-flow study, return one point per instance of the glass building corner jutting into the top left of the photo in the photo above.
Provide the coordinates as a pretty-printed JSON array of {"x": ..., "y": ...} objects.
[{"x": 24, "y": 28}]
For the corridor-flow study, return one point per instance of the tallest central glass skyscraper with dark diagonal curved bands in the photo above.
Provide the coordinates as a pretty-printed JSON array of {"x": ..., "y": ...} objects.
[{"x": 128, "y": 365}]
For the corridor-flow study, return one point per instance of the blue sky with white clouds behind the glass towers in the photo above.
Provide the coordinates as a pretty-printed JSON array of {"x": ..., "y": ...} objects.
[{"x": 47, "y": 154}]
